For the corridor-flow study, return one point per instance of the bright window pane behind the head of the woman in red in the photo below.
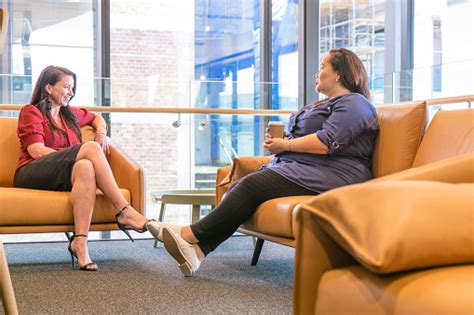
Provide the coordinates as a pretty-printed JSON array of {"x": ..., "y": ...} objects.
[{"x": 49, "y": 32}]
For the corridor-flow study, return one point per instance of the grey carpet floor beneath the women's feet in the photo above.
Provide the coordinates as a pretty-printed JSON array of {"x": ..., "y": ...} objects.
[{"x": 136, "y": 278}]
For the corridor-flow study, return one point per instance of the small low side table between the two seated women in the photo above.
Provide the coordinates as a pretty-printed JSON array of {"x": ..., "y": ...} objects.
[{"x": 194, "y": 197}]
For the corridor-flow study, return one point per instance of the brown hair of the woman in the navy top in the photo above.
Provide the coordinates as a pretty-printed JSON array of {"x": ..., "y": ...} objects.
[{"x": 351, "y": 70}]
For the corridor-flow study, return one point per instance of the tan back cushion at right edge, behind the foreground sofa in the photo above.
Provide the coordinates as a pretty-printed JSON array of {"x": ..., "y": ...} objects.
[{"x": 450, "y": 133}]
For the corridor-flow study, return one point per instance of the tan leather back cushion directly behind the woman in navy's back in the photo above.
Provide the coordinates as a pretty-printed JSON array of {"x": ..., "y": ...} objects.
[{"x": 401, "y": 130}]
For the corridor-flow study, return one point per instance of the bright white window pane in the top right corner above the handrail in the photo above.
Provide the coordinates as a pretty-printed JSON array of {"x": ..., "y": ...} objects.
[{"x": 443, "y": 48}]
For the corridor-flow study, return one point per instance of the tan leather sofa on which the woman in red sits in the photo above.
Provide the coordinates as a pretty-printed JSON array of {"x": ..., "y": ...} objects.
[{"x": 33, "y": 211}]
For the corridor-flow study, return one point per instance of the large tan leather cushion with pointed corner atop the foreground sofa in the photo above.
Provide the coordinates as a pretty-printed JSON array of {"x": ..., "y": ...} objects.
[{"x": 400, "y": 225}]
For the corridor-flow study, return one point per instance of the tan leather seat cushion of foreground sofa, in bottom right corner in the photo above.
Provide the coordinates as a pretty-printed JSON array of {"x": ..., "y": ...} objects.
[{"x": 354, "y": 290}]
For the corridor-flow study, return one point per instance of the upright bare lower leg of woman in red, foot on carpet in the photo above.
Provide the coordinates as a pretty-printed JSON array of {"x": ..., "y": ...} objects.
[{"x": 83, "y": 199}]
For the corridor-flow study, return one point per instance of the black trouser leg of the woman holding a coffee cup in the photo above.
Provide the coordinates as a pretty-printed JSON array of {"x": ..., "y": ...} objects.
[{"x": 240, "y": 204}]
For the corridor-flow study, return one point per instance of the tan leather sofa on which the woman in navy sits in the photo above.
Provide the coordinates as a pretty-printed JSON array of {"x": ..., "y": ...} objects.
[{"x": 401, "y": 129}]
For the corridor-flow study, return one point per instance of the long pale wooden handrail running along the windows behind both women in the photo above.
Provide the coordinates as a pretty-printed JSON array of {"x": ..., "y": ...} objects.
[{"x": 228, "y": 111}]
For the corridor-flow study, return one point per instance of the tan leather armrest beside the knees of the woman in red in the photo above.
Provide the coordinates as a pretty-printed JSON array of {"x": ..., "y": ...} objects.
[{"x": 128, "y": 175}]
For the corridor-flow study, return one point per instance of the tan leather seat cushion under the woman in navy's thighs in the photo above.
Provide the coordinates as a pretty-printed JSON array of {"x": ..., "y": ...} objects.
[{"x": 276, "y": 217}]
